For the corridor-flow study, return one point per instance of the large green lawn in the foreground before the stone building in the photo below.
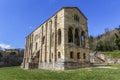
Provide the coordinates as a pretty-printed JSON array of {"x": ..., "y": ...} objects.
[{"x": 16, "y": 73}]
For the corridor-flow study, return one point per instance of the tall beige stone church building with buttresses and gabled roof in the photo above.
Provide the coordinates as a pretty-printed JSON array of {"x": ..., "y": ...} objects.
[{"x": 60, "y": 43}]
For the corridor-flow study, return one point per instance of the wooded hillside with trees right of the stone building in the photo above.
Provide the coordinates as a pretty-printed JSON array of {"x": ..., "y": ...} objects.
[{"x": 108, "y": 41}]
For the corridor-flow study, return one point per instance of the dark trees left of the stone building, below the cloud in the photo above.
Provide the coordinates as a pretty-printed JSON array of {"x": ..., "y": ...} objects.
[{"x": 11, "y": 58}]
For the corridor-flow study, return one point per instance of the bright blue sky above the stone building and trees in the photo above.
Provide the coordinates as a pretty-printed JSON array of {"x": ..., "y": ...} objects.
[{"x": 18, "y": 18}]
